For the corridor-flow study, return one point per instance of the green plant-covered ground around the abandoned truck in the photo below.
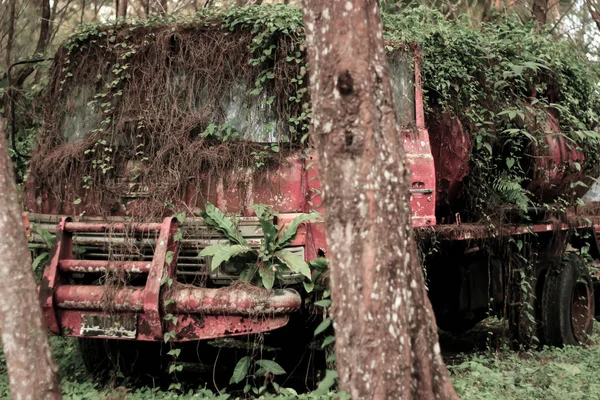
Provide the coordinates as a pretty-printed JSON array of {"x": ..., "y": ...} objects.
[{"x": 481, "y": 367}]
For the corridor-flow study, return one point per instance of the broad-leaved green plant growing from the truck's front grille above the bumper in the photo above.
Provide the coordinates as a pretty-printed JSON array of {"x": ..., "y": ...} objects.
[{"x": 268, "y": 261}]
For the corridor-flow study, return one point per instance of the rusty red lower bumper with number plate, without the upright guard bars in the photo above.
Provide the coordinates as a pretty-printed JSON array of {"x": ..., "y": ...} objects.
[{"x": 197, "y": 313}]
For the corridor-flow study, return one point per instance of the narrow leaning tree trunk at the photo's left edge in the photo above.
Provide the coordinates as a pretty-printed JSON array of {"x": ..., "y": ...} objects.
[{"x": 32, "y": 374}]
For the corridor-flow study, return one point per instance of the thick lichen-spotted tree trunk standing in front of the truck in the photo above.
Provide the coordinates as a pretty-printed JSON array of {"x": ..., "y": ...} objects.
[{"x": 386, "y": 336}]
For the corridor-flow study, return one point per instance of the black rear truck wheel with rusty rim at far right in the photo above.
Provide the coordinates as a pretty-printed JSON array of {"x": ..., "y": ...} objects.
[{"x": 568, "y": 303}]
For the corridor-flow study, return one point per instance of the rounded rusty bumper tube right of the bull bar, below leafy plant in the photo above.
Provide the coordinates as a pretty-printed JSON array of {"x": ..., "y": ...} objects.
[{"x": 235, "y": 300}]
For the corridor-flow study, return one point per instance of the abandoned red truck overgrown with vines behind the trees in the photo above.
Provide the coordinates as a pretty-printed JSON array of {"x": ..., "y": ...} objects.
[{"x": 113, "y": 230}]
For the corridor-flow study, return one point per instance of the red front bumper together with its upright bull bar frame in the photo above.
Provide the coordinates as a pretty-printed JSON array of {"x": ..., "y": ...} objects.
[{"x": 161, "y": 306}]
